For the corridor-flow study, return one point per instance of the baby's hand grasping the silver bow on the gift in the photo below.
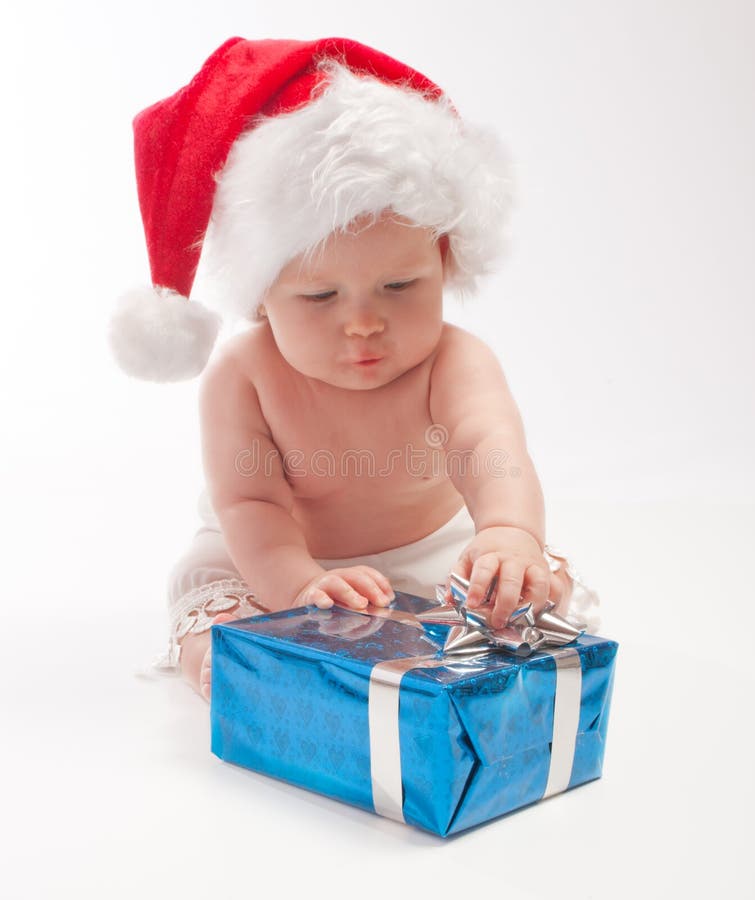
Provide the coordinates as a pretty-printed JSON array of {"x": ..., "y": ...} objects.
[{"x": 523, "y": 573}]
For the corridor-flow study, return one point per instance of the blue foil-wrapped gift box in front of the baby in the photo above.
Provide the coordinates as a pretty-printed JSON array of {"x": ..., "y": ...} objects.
[{"x": 367, "y": 708}]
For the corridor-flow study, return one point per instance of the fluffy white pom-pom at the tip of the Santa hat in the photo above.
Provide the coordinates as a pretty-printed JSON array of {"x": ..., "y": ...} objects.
[{"x": 158, "y": 335}]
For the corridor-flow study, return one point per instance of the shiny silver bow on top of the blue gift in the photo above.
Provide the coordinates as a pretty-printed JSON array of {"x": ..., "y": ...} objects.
[{"x": 471, "y": 629}]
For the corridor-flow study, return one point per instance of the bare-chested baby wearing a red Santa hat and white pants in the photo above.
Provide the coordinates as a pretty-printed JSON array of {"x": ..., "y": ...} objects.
[{"x": 353, "y": 442}]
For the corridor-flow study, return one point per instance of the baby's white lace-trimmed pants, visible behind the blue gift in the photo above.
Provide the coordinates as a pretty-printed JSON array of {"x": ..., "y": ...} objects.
[{"x": 204, "y": 582}]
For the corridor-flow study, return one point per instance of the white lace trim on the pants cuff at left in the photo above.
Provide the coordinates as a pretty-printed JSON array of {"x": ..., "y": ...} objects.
[{"x": 194, "y": 612}]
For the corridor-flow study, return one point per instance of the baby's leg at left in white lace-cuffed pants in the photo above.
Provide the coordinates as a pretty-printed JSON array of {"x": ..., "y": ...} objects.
[{"x": 203, "y": 585}]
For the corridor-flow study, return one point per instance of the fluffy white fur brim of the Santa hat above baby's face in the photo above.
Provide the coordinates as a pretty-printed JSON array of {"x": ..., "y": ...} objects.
[{"x": 361, "y": 147}]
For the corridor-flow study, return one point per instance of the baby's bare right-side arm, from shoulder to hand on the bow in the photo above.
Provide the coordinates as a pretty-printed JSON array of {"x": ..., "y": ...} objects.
[{"x": 488, "y": 462}]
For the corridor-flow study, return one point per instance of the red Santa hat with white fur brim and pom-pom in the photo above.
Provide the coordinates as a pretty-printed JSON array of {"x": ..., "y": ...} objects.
[{"x": 273, "y": 145}]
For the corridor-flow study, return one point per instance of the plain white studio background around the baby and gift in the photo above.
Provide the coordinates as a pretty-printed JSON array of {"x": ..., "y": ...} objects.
[{"x": 624, "y": 322}]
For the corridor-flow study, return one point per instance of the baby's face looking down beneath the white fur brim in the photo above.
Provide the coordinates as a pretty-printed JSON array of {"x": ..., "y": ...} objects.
[{"x": 377, "y": 292}]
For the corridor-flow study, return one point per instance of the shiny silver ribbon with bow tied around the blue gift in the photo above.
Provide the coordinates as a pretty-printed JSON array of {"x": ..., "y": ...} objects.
[{"x": 470, "y": 635}]
